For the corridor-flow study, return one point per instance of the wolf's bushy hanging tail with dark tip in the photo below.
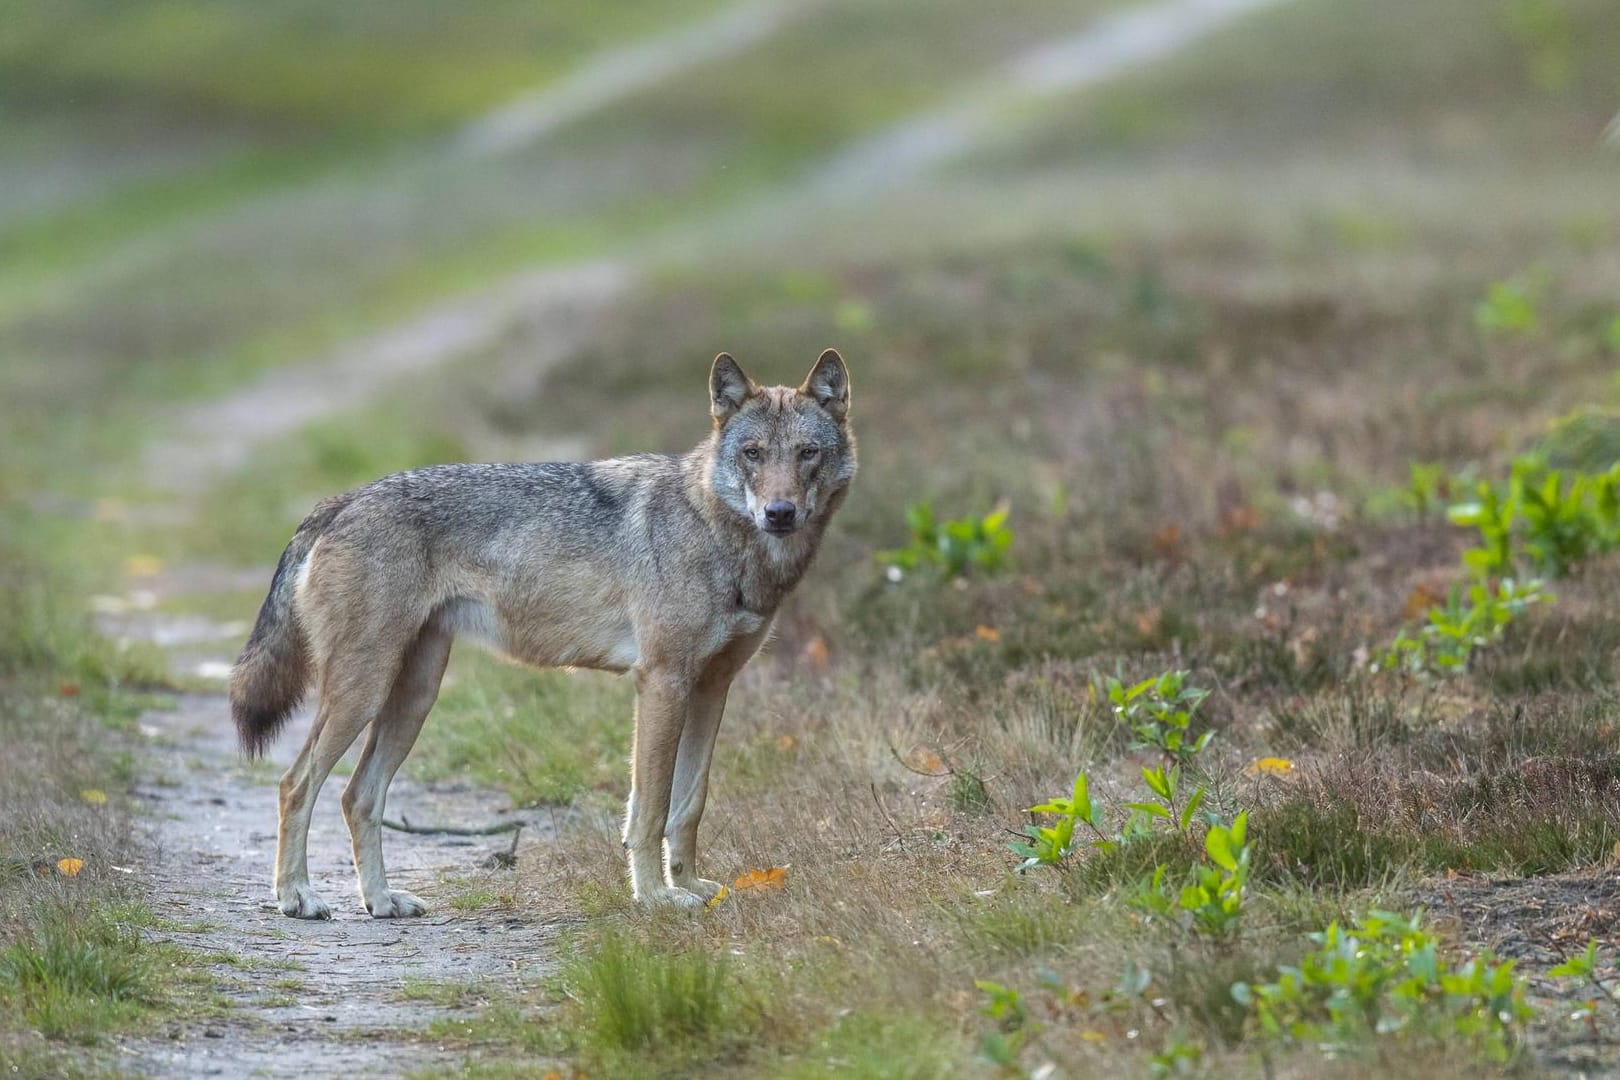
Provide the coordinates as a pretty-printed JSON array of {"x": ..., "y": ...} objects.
[{"x": 275, "y": 671}]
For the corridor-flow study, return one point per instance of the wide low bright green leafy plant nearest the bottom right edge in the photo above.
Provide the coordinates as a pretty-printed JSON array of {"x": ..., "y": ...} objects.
[{"x": 1384, "y": 979}]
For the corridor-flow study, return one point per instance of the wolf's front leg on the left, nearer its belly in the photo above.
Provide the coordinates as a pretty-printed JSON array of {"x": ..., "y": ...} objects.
[{"x": 660, "y": 716}]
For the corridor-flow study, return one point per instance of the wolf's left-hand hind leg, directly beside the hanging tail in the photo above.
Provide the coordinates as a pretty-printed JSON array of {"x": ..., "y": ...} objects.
[{"x": 351, "y": 697}]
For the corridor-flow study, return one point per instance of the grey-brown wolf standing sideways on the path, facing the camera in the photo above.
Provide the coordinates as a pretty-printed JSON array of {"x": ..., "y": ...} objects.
[{"x": 668, "y": 568}]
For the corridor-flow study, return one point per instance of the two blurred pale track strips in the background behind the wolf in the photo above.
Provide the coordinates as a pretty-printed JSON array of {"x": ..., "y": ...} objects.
[{"x": 218, "y": 436}]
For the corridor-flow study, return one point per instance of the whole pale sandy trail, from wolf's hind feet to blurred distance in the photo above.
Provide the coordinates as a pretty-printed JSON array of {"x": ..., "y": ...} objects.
[{"x": 215, "y": 819}]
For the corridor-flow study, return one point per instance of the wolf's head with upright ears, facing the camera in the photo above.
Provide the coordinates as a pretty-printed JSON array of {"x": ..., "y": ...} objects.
[{"x": 782, "y": 456}]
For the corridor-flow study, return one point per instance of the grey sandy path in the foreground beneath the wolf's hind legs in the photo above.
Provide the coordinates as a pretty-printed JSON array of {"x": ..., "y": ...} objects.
[{"x": 315, "y": 998}]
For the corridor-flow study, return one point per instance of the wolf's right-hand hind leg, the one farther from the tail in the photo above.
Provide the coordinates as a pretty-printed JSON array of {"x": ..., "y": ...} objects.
[{"x": 393, "y": 734}]
